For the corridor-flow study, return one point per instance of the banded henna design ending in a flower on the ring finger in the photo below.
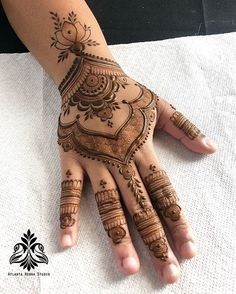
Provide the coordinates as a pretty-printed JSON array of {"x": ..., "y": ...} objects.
[{"x": 112, "y": 215}]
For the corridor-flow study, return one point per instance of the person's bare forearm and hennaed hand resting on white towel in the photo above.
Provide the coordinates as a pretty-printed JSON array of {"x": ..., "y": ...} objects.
[{"x": 105, "y": 131}]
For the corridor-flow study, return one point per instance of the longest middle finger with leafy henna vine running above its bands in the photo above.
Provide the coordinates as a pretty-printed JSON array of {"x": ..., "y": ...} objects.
[{"x": 147, "y": 222}]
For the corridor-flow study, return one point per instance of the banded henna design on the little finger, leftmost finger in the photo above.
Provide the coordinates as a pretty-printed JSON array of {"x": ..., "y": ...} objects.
[{"x": 69, "y": 202}]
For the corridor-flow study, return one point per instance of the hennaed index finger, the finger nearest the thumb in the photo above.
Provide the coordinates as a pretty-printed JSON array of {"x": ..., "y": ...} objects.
[{"x": 166, "y": 202}]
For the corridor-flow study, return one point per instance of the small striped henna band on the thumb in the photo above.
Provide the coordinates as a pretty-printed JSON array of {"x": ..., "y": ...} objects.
[{"x": 185, "y": 125}]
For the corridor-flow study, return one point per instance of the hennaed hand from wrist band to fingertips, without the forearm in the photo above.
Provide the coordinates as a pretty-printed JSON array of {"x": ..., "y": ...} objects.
[{"x": 105, "y": 130}]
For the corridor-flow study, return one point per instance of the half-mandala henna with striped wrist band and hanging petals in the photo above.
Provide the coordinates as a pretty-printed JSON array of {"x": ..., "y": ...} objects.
[{"x": 91, "y": 85}]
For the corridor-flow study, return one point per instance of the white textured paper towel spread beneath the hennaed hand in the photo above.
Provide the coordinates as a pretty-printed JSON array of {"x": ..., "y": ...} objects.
[{"x": 198, "y": 76}]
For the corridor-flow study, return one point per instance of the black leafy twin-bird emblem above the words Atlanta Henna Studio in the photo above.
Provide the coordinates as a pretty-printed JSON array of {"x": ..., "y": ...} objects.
[{"x": 29, "y": 253}]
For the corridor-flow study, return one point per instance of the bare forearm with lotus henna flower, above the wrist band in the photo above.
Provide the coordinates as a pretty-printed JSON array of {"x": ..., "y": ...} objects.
[{"x": 56, "y": 31}]
